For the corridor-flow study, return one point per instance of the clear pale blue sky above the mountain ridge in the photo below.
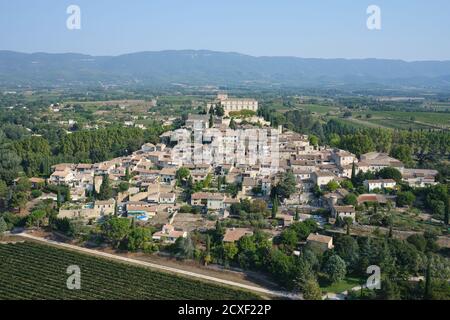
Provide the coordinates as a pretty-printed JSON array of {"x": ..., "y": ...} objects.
[{"x": 411, "y": 30}]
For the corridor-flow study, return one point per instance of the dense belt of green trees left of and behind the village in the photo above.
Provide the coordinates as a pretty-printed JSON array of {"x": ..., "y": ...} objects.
[{"x": 34, "y": 155}]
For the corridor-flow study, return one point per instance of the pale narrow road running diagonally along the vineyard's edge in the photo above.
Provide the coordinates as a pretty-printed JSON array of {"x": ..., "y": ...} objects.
[{"x": 164, "y": 268}]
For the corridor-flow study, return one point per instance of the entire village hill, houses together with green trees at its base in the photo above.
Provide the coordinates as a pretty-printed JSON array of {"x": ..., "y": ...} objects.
[{"x": 226, "y": 188}]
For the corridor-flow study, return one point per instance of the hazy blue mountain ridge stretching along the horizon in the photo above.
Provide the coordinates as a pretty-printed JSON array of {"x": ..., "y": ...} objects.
[{"x": 202, "y": 67}]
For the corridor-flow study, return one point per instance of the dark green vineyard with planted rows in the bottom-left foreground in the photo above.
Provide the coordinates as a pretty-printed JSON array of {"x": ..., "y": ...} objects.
[{"x": 34, "y": 271}]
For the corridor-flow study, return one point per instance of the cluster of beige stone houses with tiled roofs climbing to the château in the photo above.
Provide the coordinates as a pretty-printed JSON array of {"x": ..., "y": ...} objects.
[{"x": 157, "y": 187}]
